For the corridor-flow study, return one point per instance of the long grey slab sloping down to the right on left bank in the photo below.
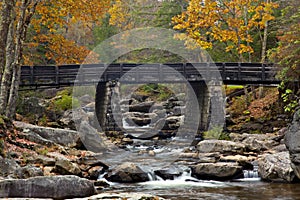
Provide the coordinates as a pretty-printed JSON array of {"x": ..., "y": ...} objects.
[{"x": 60, "y": 136}]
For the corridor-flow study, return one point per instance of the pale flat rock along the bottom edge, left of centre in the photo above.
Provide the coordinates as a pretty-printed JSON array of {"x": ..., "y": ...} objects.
[{"x": 129, "y": 196}]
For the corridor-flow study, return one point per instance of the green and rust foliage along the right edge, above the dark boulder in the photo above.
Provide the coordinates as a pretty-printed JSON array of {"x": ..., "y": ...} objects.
[{"x": 287, "y": 54}]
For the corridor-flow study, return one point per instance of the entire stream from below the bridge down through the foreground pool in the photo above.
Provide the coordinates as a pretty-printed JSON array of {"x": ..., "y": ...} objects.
[{"x": 186, "y": 187}]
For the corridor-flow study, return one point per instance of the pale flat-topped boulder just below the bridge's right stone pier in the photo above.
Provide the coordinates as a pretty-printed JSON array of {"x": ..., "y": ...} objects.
[{"x": 221, "y": 146}]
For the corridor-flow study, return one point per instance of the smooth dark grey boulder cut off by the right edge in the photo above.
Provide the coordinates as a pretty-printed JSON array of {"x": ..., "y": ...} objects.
[{"x": 292, "y": 142}]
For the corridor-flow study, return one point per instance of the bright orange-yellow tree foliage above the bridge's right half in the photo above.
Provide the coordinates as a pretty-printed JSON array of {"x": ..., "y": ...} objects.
[{"x": 229, "y": 22}]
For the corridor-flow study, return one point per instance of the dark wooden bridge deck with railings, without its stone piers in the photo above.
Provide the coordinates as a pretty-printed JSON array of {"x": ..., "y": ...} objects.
[{"x": 34, "y": 77}]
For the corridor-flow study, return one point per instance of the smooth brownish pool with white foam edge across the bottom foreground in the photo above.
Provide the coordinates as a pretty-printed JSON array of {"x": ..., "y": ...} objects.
[{"x": 184, "y": 188}]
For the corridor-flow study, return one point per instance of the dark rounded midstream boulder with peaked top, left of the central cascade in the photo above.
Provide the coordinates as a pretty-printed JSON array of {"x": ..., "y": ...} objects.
[{"x": 127, "y": 173}]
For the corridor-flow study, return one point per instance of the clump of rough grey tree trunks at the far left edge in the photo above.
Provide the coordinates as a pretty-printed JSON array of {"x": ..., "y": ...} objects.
[{"x": 15, "y": 17}]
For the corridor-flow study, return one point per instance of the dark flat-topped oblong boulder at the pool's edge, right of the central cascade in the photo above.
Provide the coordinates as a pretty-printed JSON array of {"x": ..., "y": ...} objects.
[{"x": 217, "y": 171}]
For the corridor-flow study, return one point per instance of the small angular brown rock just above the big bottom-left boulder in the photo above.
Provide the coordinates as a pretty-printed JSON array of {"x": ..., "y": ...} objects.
[{"x": 65, "y": 167}]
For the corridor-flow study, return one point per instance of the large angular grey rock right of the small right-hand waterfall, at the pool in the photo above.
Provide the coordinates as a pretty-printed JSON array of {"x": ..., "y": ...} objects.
[{"x": 276, "y": 167}]
